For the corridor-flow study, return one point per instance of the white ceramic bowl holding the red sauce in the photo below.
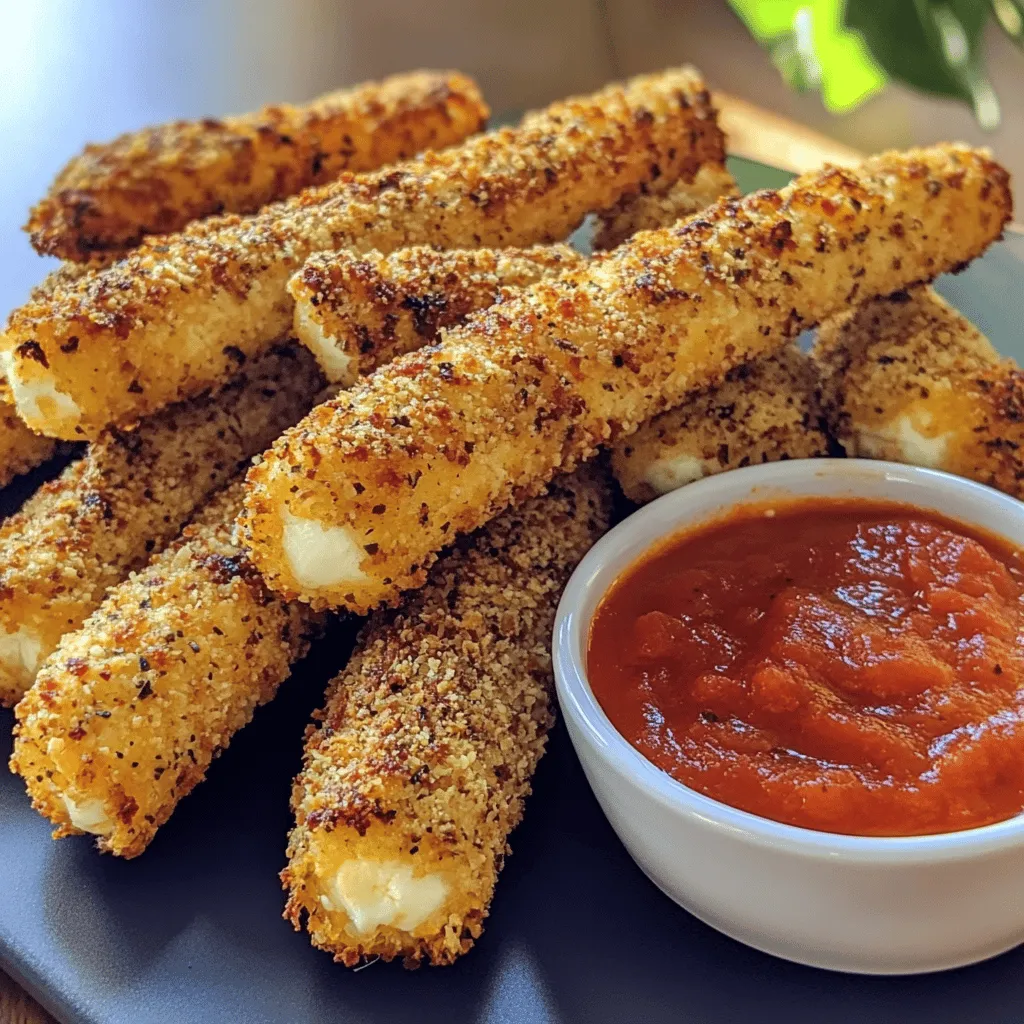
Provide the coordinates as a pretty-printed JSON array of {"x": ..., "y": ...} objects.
[{"x": 845, "y": 903}]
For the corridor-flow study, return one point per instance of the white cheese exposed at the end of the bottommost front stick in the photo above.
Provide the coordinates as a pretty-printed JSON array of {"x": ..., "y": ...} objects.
[{"x": 383, "y": 892}]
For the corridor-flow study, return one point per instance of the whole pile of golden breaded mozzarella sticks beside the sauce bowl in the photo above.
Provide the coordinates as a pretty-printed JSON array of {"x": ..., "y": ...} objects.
[{"x": 338, "y": 361}]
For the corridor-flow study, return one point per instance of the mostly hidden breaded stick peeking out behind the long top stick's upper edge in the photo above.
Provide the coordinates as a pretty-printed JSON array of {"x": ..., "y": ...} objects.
[{"x": 660, "y": 209}]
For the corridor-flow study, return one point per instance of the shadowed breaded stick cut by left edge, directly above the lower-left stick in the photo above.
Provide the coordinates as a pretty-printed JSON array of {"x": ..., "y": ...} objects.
[{"x": 126, "y": 498}]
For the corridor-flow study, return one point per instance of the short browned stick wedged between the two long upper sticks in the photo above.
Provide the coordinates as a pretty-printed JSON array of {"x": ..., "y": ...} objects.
[{"x": 356, "y": 313}]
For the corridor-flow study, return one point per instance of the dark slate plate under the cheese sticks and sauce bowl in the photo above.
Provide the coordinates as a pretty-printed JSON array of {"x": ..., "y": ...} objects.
[{"x": 192, "y": 931}]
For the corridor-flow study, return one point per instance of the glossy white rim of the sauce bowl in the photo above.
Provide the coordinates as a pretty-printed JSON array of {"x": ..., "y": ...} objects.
[{"x": 590, "y": 582}]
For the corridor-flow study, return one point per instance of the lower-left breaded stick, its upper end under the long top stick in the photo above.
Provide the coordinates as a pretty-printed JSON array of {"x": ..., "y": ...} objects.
[{"x": 127, "y": 714}]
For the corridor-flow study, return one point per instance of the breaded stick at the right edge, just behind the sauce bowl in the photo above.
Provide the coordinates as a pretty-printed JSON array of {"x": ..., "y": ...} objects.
[{"x": 910, "y": 379}]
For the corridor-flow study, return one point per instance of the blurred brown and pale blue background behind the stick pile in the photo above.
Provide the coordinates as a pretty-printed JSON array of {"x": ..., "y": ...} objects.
[{"x": 74, "y": 71}]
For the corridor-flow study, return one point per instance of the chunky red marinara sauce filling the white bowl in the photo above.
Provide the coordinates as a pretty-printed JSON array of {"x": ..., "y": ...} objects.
[{"x": 840, "y": 665}]
